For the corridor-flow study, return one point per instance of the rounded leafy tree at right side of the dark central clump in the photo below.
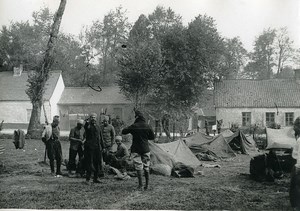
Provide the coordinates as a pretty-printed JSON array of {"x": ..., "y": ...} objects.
[{"x": 205, "y": 49}]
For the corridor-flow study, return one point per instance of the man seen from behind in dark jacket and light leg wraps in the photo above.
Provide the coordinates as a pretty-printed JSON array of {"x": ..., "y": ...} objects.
[{"x": 140, "y": 151}]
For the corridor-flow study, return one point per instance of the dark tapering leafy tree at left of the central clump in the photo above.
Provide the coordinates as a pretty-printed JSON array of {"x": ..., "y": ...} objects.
[{"x": 139, "y": 62}]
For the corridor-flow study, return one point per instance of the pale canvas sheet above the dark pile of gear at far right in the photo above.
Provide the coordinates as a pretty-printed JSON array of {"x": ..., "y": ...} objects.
[{"x": 280, "y": 138}]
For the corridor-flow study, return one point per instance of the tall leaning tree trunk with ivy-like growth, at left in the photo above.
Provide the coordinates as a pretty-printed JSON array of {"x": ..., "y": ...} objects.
[{"x": 37, "y": 80}]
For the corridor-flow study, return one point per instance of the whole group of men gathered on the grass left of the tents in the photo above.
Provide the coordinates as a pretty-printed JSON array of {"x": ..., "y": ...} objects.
[{"x": 93, "y": 144}]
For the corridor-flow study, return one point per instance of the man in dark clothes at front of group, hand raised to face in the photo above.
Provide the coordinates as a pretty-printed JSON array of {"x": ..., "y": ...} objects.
[{"x": 93, "y": 148}]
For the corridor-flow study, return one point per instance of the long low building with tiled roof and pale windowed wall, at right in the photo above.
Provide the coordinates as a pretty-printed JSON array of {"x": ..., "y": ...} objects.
[{"x": 260, "y": 102}]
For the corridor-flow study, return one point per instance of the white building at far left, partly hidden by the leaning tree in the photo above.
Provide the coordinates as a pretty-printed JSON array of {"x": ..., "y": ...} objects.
[{"x": 15, "y": 105}]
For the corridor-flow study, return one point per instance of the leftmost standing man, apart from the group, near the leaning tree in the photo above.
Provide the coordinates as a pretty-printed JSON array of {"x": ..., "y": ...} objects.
[{"x": 53, "y": 147}]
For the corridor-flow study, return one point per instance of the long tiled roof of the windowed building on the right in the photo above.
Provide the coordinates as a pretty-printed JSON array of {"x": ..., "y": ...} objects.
[{"x": 257, "y": 93}]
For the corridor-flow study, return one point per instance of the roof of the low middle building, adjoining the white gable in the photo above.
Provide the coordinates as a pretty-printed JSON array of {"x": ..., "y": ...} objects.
[{"x": 86, "y": 95}]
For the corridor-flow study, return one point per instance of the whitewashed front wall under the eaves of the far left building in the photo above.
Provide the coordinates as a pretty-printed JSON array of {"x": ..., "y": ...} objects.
[{"x": 19, "y": 112}]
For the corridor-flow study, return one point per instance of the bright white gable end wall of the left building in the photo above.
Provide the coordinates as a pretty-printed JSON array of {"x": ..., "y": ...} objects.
[{"x": 54, "y": 110}]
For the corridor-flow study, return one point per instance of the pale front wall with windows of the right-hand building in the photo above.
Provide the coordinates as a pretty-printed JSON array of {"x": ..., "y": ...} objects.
[{"x": 258, "y": 115}]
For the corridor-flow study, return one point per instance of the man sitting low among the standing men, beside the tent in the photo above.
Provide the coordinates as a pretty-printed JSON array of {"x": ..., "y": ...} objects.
[{"x": 119, "y": 158}]
